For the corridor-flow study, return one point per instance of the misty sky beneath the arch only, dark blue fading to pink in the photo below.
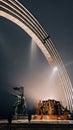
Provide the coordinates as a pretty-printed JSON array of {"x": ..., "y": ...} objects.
[{"x": 23, "y": 64}]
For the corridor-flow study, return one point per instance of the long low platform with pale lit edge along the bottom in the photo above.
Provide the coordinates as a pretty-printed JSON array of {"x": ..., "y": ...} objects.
[{"x": 37, "y": 125}]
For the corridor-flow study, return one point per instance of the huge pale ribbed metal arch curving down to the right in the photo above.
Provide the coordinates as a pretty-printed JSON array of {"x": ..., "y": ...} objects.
[{"x": 17, "y": 13}]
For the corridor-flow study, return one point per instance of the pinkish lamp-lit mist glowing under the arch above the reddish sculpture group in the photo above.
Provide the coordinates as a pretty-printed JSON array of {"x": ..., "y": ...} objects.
[{"x": 41, "y": 82}]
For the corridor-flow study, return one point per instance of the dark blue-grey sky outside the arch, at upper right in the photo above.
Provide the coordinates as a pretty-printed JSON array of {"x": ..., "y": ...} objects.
[{"x": 56, "y": 17}]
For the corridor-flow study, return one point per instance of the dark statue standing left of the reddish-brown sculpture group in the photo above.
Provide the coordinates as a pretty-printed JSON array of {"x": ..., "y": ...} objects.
[{"x": 20, "y": 104}]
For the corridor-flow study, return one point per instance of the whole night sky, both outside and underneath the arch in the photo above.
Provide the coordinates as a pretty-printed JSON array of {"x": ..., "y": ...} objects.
[{"x": 23, "y": 64}]
